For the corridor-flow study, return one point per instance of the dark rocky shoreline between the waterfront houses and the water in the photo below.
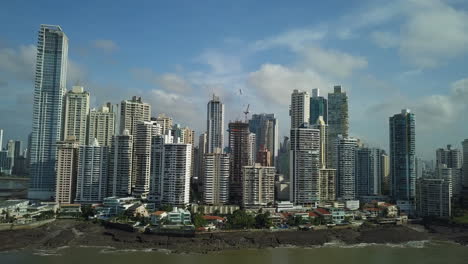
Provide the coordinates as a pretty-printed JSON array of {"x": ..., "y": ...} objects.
[{"x": 79, "y": 233}]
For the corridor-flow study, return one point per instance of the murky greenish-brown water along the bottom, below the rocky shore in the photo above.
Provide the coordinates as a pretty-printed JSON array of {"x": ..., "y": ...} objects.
[{"x": 421, "y": 252}]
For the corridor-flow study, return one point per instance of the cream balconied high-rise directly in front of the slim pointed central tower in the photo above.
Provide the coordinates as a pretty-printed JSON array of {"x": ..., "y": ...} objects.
[{"x": 216, "y": 178}]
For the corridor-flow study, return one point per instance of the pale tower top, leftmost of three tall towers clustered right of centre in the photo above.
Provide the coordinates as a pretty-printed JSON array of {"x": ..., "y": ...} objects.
[{"x": 300, "y": 108}]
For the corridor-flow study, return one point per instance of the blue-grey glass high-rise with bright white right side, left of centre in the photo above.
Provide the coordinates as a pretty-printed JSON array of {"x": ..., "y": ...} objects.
[{"x": 176, "y": 174}]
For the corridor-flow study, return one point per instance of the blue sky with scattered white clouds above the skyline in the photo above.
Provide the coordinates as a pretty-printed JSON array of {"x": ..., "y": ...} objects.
[{"x": 387, "y": 55}]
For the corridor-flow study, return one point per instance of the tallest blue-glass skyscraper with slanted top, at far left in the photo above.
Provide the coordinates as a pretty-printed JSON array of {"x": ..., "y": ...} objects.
[{"x": 49, "y": 90}]
